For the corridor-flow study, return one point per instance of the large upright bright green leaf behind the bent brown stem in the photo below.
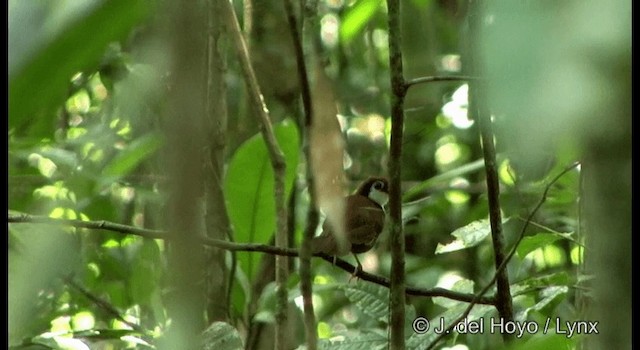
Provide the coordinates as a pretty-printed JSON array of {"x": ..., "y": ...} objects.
[{"x": 249, "y": 188}]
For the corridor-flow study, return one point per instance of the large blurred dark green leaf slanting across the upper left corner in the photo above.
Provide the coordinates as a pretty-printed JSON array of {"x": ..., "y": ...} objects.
[{"x": 39, "y": 84}]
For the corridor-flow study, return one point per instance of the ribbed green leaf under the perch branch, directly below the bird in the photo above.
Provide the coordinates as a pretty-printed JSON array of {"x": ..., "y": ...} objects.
[{"x": 371, "y": 299}]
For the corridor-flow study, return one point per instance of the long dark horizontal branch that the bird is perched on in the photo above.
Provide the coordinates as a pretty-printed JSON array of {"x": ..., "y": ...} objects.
[{"x": 245, "y": 247}]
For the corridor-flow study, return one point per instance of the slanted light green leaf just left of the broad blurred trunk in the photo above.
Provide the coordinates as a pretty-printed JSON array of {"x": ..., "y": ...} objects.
[{"x": 130, "y": 157}]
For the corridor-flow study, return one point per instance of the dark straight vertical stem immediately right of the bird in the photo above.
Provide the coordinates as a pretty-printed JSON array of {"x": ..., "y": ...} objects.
[{"x": 398, "y": 87}]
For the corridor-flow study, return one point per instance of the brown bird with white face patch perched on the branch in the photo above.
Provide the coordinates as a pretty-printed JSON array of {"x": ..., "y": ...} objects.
[{"x": 364, "y": 221}]
